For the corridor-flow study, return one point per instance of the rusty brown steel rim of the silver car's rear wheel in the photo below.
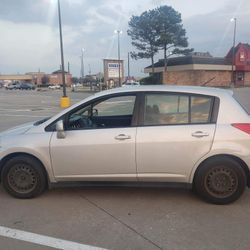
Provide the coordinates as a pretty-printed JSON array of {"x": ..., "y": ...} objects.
[{"x": 221, "y": 182}]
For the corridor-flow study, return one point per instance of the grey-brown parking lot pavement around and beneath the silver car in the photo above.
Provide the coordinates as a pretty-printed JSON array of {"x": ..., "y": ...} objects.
[{"x": 113, "y": 218}]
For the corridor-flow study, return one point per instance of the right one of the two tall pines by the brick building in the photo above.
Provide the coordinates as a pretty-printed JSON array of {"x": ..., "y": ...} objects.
[{"x": 172, "y": 35}]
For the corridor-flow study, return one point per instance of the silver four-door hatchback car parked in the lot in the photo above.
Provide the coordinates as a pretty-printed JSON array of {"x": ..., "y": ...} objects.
[{"x": 192, "y": 136}]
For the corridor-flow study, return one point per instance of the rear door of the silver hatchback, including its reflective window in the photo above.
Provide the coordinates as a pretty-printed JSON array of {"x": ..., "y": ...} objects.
[{"x": 176, "y": 130}]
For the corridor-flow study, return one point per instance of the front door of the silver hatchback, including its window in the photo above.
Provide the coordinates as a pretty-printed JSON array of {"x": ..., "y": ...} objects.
[{"x": 99, "y": 141}]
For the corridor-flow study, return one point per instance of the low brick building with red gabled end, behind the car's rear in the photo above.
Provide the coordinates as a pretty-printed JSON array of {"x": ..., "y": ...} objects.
[{"x": 202, "y": 69}]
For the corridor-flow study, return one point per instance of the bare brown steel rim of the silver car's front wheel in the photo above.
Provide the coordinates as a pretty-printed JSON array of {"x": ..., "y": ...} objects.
[{"x": 22, "y": 178}]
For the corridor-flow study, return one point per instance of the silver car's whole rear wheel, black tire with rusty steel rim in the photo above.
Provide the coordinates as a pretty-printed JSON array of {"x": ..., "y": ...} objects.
[{"x": 220, "y": 180}]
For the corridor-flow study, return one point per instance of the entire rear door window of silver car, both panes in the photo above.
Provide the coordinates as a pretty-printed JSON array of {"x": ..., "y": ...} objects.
[{"x": 170, "y": 109}]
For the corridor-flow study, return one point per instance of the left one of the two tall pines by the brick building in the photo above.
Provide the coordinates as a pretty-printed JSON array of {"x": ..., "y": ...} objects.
[{"x": 144, "y": 36}]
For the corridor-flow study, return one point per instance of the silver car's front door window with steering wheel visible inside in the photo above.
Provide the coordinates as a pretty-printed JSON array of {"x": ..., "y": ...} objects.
[{"x": 109, "y": 113}]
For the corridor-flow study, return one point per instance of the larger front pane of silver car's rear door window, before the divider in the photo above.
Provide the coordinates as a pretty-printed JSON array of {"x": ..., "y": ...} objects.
[{"x": 163, "y": 109}]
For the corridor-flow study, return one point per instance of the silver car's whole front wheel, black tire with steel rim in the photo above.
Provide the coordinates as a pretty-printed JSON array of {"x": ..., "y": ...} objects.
[{"x": 24, "y": 177}]
